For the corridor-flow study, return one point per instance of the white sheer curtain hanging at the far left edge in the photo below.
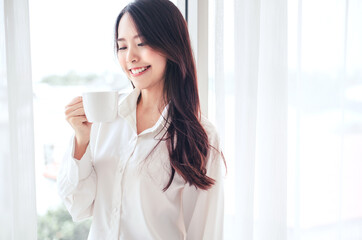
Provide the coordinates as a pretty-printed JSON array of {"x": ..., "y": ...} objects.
[{"x": 17, "y": 190}]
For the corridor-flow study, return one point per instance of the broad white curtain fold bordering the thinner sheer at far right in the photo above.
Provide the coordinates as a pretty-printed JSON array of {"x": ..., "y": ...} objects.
[{"x": 271, "y": 123}]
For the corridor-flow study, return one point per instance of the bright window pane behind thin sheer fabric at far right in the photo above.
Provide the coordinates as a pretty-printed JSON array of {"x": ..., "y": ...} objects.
[{"x": 325, "y": 121}]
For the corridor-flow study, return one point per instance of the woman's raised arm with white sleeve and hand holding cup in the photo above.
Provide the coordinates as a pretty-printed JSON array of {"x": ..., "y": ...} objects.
[{"x": 77, "y": 179}]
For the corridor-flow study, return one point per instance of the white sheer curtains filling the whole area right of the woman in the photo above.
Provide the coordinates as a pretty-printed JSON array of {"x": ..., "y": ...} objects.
[{"x": 285, "y": 93}]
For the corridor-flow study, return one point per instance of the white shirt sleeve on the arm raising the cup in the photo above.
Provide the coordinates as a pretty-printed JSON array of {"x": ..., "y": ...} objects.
[{"x": 76, "y": 183}]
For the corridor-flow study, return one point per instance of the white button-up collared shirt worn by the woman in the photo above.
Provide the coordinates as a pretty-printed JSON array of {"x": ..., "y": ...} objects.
[{"x": 122, "y": 191}]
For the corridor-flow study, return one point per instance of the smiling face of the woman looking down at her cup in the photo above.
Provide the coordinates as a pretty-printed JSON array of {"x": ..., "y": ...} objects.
[{"x": 144, "y": 66}]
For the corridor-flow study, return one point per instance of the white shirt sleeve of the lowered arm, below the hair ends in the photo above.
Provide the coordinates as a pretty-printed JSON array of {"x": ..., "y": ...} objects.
[{"x": 204, "y": 209}]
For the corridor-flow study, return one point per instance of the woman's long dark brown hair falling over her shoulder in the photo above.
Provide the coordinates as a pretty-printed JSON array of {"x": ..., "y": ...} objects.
[{"x": 165, "y": 30}]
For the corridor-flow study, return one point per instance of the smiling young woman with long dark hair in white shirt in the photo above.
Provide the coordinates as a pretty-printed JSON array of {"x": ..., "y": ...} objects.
[{"x": 156, "y": 171}]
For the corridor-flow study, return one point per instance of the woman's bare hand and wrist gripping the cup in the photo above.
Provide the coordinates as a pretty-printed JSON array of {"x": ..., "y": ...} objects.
[{"x": 74, "y": 114}]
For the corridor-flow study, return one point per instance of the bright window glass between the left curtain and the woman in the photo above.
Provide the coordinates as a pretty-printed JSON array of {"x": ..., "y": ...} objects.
[{"x": 72, "y": 51}]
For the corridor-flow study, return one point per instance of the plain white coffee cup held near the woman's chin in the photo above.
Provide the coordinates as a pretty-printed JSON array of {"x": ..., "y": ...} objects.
[{"x": 101, "y": 106}]
